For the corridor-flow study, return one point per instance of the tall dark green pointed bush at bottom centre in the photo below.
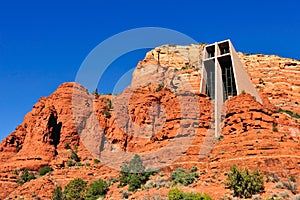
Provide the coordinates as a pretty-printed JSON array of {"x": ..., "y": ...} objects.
[{"x": 134, "y": 174}]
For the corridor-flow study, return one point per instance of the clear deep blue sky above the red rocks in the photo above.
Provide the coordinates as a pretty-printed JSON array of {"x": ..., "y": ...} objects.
[{"x": 43, "y": 43}]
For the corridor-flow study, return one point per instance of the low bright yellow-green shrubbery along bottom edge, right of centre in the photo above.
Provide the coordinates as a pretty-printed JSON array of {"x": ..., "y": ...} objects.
[{"x": 176, "y": 194}]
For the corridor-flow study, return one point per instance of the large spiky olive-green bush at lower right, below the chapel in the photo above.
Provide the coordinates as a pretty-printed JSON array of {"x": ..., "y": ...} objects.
[{"x": 243, "y": 183}]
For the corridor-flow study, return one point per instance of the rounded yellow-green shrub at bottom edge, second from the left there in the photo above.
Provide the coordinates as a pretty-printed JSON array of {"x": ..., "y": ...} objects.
[{"x": 75, "y": 189}]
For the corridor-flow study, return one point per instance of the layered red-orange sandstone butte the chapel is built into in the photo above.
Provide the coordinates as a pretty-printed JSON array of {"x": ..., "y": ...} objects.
[{"x": 248, "y": 138}]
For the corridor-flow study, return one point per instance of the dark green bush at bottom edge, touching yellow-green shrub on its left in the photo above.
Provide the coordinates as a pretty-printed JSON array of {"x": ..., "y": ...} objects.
[{"x": 97, "y": 189}]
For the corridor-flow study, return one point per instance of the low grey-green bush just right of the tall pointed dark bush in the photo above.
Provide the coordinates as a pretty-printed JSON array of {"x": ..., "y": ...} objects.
[{"x": 182, "y": 177}]
